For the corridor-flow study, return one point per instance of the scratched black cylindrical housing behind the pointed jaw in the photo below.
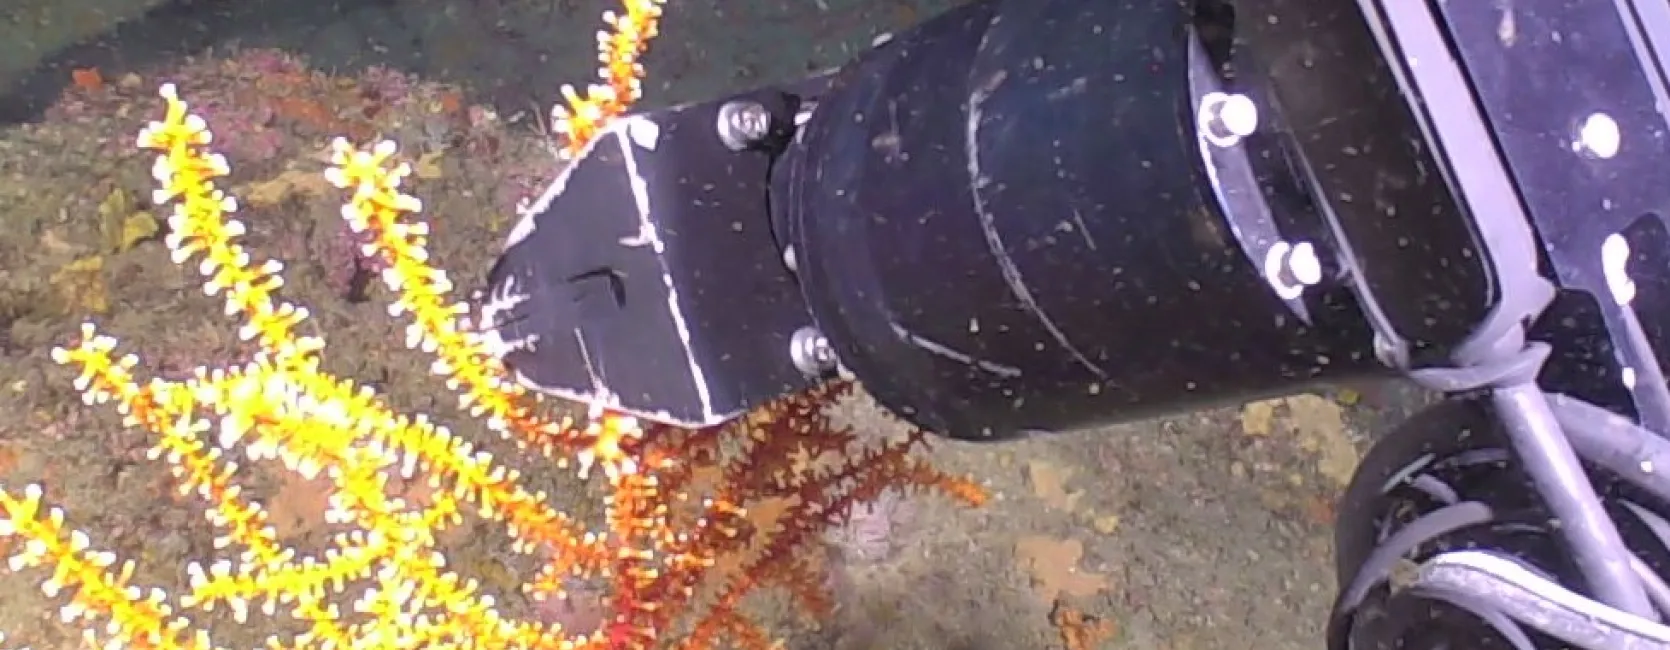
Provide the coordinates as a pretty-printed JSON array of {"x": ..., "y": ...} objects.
[{"x": 1003, "y": 223}]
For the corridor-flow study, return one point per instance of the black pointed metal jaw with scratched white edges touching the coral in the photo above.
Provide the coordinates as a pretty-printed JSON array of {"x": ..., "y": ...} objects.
[{"x": 649, "y": 278}]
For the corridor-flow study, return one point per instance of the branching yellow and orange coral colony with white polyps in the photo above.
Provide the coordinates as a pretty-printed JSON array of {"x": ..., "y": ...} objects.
[{"x": 694, "y": 521}]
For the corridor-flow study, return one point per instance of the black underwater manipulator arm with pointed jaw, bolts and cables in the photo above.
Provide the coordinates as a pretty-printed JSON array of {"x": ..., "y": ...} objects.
[{"x": 1036, "y": 216}]
